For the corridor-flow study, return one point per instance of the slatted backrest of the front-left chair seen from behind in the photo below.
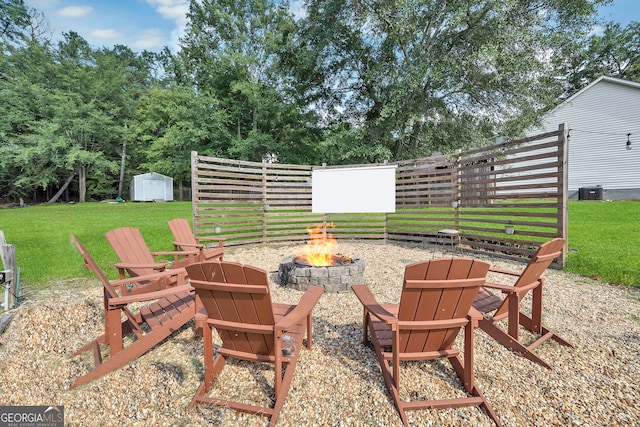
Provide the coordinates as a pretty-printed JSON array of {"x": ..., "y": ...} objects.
[{"x": 237, "y": 300}]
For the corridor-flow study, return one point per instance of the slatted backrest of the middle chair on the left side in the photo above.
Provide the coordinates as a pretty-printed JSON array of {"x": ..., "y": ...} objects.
[{"x": 130, "y": 247}]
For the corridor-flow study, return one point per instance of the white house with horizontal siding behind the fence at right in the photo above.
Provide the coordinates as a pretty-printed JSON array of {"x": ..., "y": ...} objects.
[{"x": 599, "y": 118}]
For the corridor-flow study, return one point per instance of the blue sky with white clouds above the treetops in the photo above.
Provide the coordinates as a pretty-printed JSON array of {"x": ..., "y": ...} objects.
[{"x": 153, "y": 24}]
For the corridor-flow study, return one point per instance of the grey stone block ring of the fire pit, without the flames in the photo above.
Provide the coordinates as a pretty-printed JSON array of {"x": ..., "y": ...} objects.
[{"x": 335, "y": 278}]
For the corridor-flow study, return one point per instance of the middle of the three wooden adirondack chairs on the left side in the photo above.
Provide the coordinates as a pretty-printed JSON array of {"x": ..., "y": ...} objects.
[{"x": 135, "y": 256}]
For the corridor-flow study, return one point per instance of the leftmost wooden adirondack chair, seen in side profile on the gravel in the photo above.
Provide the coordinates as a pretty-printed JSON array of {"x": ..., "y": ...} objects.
[{"x": 168, "y": 310}]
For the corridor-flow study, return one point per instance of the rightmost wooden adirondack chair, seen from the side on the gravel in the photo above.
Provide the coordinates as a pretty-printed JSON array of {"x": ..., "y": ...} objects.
[{"x": 495, "y": 307}]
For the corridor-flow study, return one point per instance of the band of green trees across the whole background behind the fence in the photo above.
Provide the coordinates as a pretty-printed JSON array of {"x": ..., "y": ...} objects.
[{"x": 353, "y": 81}]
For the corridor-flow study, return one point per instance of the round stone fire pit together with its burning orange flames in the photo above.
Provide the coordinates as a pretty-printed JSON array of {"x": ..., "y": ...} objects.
[{"x": 320, "y": 265}]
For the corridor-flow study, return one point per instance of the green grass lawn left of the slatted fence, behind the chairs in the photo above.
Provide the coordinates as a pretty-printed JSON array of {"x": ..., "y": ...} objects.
[{"x": 42, "y": 234}]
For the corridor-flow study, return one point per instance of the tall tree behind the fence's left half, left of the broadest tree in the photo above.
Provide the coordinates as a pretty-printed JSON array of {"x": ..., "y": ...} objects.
[{"x": 232, "y": 48}]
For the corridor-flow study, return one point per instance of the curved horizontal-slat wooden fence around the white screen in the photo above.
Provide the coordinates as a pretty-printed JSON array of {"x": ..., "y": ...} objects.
[{"x": 506, "y": 198}]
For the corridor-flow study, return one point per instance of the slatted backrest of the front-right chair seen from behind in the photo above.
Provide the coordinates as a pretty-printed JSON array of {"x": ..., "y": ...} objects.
[{"x": 442, "y": 289}]
